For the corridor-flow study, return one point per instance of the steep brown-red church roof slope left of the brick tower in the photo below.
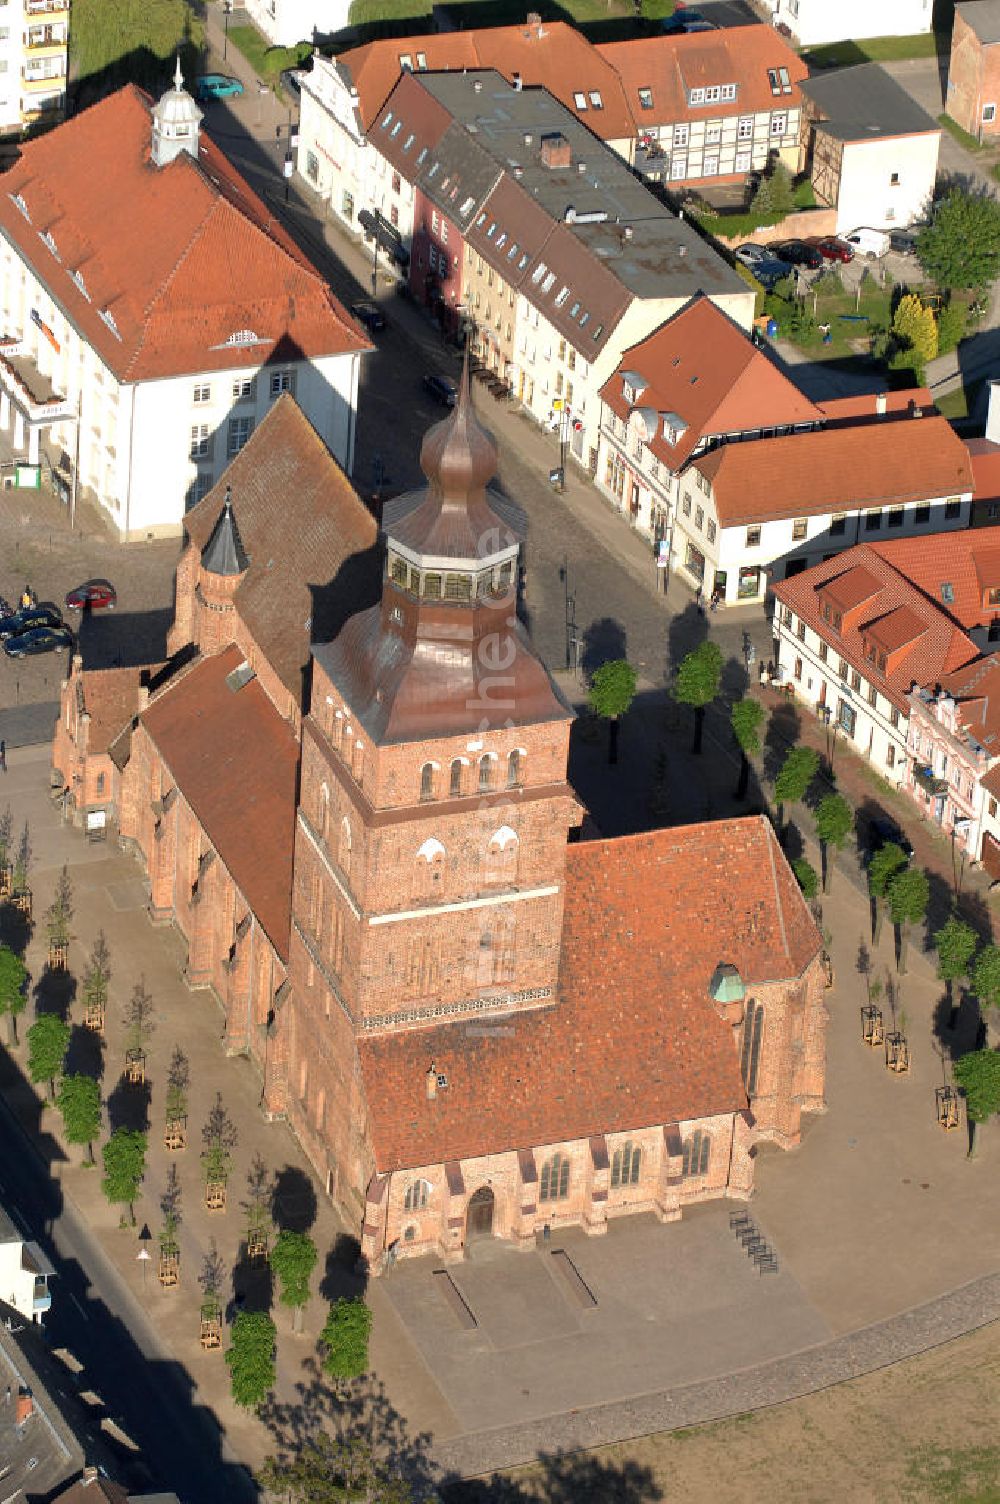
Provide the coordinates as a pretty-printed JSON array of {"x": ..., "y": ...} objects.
[{"x": 235, "y": 762}]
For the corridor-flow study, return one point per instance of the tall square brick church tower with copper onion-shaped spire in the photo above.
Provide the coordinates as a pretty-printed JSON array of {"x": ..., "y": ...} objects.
[{"x": 434, "y": 810}]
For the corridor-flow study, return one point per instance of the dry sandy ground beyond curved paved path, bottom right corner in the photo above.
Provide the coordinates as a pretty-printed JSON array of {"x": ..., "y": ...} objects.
[{"x": 920, "y": 1431}]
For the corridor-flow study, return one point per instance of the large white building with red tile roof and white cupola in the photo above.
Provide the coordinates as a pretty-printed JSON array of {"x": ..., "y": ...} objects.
[{"x": 154, "y": 311}]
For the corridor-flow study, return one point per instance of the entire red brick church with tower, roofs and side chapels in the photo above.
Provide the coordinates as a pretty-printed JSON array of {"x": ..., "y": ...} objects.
[{"x": 348, "y": 787}]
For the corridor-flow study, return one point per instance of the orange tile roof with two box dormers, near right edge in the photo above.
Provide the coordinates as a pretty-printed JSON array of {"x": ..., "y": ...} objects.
[{"x": 898, "y": 608}]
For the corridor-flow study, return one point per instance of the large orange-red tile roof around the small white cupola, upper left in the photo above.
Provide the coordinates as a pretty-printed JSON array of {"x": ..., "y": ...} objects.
[{"x": 181, "y": 258}]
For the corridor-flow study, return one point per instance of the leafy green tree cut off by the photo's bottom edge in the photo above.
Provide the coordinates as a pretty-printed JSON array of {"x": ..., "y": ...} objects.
[{"x": 335, "y": 1472}]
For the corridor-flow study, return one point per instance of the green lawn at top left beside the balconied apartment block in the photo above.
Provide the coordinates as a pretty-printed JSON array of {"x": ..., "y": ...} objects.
[{"x": 132, "y": 41}]
